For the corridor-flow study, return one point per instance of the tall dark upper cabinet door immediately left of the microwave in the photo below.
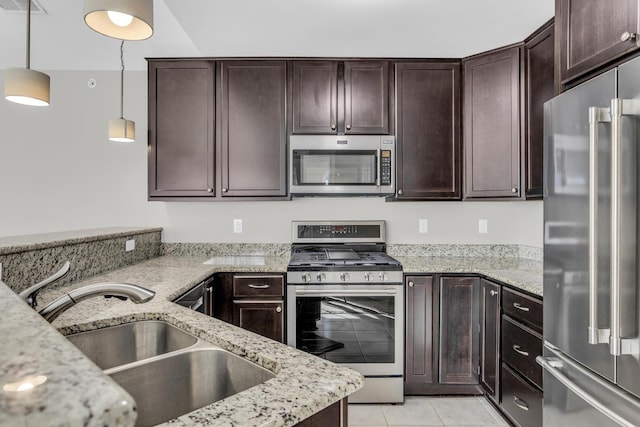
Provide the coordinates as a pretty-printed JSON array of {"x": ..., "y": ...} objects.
[{"x": 253, "y": 128}]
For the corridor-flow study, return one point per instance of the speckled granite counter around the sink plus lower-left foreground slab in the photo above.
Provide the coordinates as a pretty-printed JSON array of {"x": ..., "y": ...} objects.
[{"x": 78, "y": 393}]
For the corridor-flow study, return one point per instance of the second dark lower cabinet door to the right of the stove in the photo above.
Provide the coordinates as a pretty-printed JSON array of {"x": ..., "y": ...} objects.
[{"x": 459, "y": 330}]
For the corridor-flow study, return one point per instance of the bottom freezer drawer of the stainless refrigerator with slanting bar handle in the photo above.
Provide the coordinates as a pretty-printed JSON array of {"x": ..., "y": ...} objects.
[{"x": 573, "y": 396}]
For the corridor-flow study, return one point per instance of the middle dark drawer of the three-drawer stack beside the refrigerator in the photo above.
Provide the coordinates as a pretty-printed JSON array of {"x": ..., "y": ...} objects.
[{"x": 520, "y": 347}]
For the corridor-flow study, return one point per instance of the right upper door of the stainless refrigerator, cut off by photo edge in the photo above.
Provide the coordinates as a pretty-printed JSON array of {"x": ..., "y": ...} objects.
[{"x": 628, "y": 366}]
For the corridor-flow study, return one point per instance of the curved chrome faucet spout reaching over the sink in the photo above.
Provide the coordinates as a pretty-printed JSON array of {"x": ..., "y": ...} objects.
[{"x": 135, "y": 293}]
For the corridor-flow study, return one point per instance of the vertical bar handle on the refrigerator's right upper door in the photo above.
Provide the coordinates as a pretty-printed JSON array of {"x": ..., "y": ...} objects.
[{"x": 619, "y": 107}]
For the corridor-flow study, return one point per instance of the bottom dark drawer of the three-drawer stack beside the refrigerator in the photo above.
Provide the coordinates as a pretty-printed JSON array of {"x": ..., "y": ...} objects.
[{"x": 522, "y": 402}]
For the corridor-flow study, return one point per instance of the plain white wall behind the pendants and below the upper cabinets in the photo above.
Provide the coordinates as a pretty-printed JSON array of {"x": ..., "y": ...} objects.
[{"x": 59, "y": 172}]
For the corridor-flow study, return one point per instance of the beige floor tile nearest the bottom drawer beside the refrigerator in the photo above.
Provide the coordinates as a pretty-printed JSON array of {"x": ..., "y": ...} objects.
[{"x": 463, "y": 412}]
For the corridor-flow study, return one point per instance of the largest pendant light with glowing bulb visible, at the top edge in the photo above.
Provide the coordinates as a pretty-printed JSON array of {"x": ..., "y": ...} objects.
[{"x": 120, "y": 19}]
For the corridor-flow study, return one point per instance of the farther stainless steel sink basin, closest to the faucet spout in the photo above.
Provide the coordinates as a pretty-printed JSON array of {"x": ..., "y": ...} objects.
[{"x": 131, "y": 342}]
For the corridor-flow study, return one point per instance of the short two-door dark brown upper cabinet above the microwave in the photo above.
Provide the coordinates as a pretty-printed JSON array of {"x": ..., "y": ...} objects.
[{"x": 333, "y": 97}]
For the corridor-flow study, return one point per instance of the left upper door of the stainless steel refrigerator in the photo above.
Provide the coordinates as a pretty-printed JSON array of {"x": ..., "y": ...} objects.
[{"x": 566, "y": 222}]
